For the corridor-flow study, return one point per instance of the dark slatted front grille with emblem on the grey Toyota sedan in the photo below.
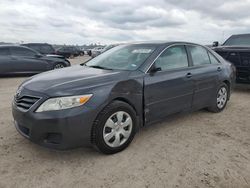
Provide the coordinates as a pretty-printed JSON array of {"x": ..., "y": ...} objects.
[{"x": 25, "y": 102}]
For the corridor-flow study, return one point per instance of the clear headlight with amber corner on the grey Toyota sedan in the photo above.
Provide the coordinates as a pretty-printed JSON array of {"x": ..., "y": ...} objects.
[{"x": 62, "y": 103}]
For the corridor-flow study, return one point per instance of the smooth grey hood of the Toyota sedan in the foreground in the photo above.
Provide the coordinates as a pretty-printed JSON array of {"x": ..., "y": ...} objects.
[{"x": 72, "y": 79}]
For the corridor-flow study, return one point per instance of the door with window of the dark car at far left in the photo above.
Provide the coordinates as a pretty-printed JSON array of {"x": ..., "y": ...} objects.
[{"x": 27, "y": 61}]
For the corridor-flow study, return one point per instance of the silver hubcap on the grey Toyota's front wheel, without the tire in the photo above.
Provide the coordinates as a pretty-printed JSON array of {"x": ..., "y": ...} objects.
[{"x": 117, "y": 129}]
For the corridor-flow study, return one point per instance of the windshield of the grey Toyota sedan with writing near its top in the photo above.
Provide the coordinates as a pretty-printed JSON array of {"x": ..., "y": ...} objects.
[{"x": 124, "y": 57}]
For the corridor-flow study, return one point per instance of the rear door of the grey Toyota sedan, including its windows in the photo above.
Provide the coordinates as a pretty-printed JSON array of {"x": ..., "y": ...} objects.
[{"x": 206, "y": 71}]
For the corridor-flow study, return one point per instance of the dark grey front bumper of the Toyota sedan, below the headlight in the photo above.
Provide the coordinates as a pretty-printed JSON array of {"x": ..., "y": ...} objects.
[{"x": 61, "y": 130}]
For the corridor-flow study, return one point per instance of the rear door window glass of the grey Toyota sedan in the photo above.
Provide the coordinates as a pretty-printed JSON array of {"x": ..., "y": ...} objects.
[{"x": 199, "y": 55}]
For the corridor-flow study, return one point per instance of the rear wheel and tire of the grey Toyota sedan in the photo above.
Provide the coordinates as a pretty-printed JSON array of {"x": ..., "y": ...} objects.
[{"x": 221, "y": 98}]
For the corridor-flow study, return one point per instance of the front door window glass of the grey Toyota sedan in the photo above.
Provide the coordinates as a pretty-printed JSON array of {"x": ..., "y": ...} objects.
[{"x": 172, "y": 58}]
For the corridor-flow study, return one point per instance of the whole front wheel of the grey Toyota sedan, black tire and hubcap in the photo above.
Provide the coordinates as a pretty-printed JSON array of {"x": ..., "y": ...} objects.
[{"x": 112, "y": 140}]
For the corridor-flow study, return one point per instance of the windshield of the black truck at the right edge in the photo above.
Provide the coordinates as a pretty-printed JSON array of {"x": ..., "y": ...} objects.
[{"x": 238, "y": 40}]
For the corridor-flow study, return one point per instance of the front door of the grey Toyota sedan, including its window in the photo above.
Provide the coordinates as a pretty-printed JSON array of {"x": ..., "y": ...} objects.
[{"x": 169, "y": 90}]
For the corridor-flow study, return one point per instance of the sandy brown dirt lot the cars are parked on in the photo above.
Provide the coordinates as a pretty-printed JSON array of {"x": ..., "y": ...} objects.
[{"x": 201, "y": 149}]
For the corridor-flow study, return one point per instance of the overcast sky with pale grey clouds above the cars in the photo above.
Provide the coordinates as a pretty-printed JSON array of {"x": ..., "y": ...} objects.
[{"x": 115, "y": 21}]
